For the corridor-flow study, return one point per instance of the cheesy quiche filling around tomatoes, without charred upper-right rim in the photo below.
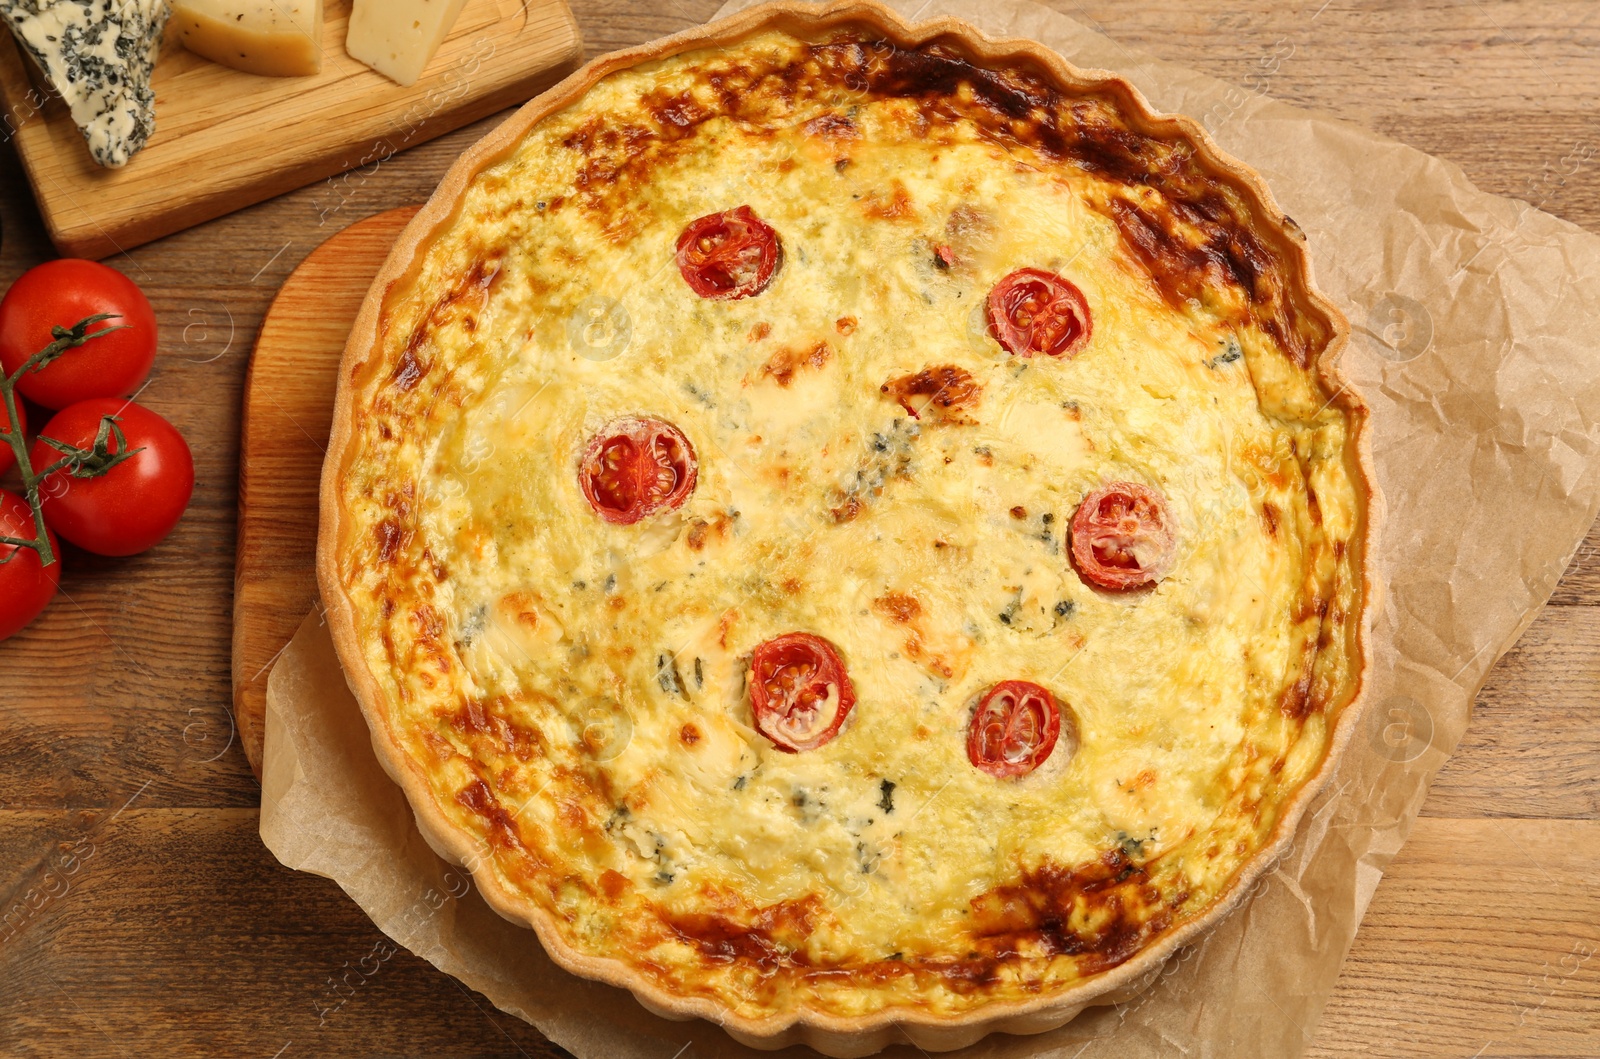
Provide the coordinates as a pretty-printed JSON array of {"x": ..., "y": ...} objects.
[{"x": 577, "y": 690}]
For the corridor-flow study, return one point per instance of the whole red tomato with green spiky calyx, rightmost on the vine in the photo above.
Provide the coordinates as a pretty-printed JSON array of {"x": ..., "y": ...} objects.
[{"x": 135, "y": 505}]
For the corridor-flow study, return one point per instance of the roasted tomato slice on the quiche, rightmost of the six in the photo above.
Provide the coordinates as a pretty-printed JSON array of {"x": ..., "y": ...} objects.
[{"x": 1122, "y": 537}]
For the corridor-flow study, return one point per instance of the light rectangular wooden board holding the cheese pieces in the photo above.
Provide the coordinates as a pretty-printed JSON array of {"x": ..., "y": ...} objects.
[{"x": 228, "y": 140}]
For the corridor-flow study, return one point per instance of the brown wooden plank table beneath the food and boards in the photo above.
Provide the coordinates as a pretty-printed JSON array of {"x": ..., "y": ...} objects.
[{"x": 143, "y": 917}]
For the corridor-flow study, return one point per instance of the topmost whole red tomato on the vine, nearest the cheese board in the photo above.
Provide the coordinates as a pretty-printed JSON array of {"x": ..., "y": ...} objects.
[{"x": 58, "y": 295}]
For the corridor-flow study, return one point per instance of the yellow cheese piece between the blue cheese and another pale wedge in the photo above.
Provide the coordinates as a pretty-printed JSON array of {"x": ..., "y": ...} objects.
[{"x": 271, "y": 38}]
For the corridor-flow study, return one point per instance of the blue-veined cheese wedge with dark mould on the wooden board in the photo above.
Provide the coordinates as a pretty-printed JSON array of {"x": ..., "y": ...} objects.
[{"x": 100, "y": 57}]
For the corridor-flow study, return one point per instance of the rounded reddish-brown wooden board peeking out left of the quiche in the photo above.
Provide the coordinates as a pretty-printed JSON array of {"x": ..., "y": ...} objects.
[{"x": 289, "y": 410}]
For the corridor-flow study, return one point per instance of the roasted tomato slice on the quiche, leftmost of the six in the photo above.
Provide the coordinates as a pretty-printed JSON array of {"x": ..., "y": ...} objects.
[{"x": 636, "y": 468}]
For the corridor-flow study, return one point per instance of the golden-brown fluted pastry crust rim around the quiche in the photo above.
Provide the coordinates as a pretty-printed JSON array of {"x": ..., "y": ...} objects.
[{"x": 831, "y": 1034}]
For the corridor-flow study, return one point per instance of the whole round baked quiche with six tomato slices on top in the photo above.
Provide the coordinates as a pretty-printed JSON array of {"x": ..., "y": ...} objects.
[{"x": 852, "y": 530}]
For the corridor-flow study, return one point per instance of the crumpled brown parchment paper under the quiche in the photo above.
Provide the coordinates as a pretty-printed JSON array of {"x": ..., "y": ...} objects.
[{"x": 1476, "y": 348}]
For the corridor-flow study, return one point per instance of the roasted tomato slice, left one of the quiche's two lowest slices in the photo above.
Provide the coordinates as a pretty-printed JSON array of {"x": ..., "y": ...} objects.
[{"x": 799, "y": 692}]
